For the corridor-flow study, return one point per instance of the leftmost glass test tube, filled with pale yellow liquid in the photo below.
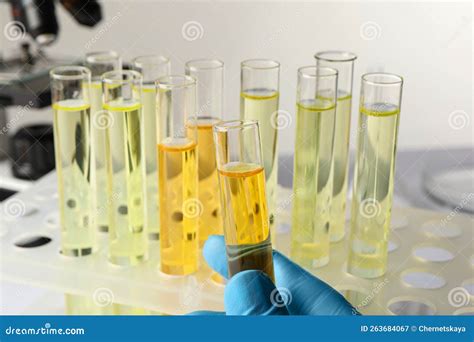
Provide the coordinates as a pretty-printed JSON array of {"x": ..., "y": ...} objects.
[{"x": 70, "y": 87}]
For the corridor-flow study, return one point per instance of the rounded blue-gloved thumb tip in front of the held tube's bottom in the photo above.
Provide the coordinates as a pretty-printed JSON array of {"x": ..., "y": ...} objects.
[{"x": 252, "y": 293}]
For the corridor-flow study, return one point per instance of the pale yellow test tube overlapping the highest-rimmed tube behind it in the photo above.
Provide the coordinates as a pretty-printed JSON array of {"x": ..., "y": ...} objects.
[{"x": 312, "y": 177}]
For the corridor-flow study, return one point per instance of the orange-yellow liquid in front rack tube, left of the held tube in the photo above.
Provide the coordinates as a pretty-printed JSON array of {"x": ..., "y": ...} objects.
[{"x": 179, "y": 206}]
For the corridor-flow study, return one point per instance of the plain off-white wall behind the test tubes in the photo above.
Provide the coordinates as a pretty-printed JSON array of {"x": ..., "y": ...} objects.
[{"x": 429, "y": 44}]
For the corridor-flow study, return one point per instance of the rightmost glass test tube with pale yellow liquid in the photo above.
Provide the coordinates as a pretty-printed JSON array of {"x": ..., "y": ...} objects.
[{"x": 380, "y": 101}]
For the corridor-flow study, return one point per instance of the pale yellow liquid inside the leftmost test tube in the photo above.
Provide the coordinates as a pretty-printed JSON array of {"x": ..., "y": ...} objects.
[{"x": 73, "y": 166}]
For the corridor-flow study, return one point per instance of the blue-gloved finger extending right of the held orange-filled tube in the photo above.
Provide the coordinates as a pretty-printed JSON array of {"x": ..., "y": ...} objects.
[{"x": 308, "y": 295}]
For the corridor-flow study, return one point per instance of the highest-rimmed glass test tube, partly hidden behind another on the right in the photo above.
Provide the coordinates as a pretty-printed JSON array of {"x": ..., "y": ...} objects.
[{"x": 343, "y": 62}]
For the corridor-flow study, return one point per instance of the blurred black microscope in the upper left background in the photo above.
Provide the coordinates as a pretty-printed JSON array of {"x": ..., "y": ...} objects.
[{"x": 24, "y": 75}]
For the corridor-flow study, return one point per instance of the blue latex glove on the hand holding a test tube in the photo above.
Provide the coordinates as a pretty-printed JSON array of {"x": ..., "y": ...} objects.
[{"x": 252, "y": 293}]
